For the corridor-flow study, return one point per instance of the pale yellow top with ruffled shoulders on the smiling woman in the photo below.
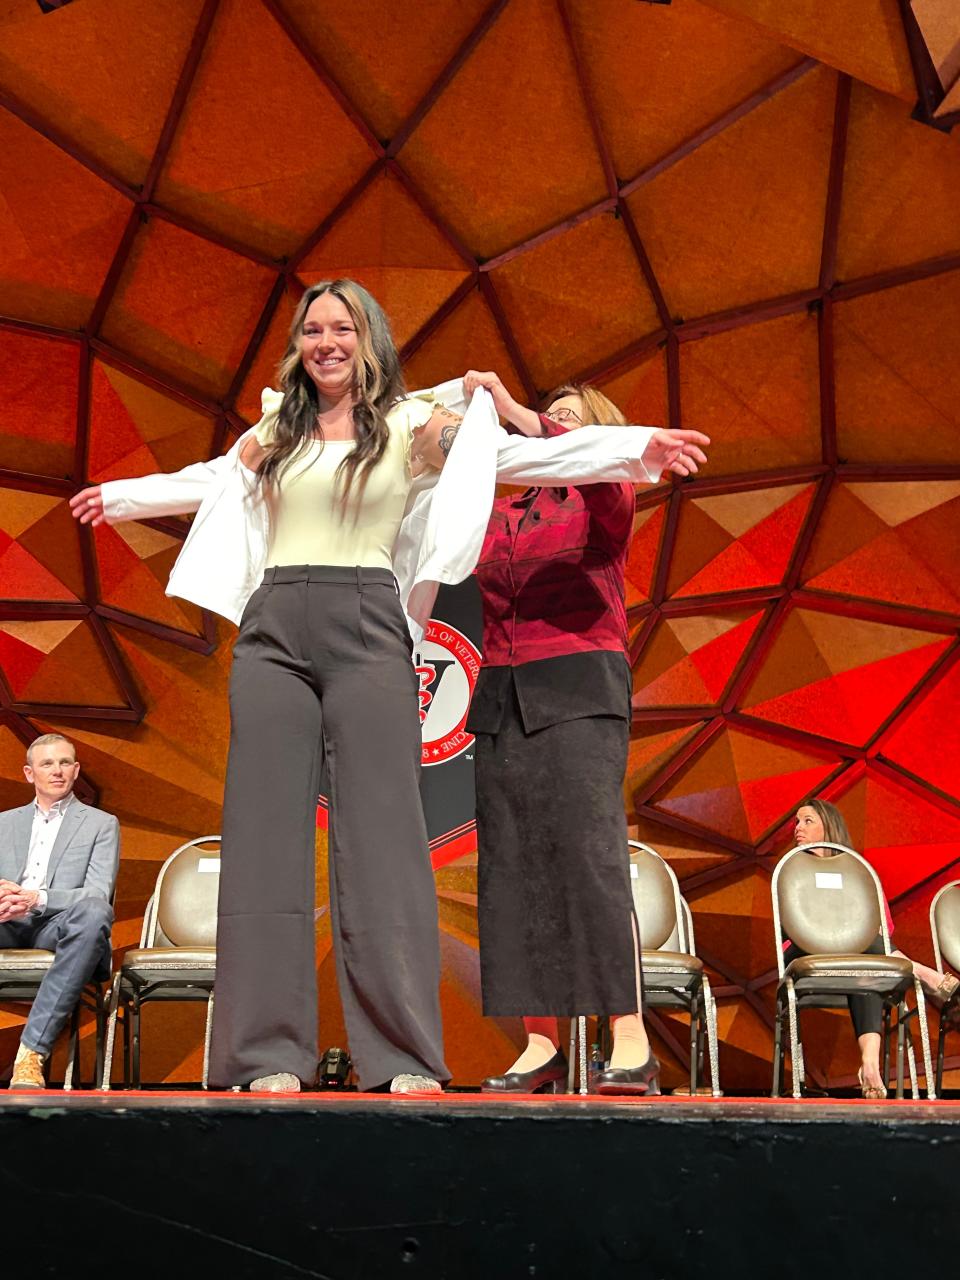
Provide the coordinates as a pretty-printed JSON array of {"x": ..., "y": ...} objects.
[{"x": 309, "y": 522}]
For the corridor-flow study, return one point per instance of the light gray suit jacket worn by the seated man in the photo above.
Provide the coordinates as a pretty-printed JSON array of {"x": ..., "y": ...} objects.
[{"x": 84, "y": 861}]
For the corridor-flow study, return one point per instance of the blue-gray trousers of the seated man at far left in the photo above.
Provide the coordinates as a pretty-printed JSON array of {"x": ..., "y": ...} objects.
[{"x": 80, "y": 939}]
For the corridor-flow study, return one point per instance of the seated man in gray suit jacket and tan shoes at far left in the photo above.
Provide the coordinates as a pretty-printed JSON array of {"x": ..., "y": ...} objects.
[{"x": 58, "y": 868}]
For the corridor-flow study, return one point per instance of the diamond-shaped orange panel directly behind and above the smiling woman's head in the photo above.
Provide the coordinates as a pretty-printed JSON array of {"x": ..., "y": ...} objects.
[{"x": 388, "y": 244}]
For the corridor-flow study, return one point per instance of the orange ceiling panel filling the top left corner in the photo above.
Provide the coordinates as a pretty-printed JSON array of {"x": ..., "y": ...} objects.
[{"x": 115, "y": 93}]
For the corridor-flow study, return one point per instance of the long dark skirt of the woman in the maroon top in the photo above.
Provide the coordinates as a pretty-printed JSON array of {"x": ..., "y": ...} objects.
[{"x": 555, "y": 902}]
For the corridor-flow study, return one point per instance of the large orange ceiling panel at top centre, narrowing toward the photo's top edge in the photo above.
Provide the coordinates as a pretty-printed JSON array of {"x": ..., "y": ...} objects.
[{"x": 461, "y": 154}]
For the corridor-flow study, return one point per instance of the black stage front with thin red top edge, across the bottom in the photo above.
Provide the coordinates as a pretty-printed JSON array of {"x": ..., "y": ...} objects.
[{"x": 351, "y": 1187}]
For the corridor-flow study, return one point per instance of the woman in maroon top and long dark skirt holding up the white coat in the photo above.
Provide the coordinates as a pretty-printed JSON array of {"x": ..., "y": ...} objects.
[{"x": 551, "y": 714}]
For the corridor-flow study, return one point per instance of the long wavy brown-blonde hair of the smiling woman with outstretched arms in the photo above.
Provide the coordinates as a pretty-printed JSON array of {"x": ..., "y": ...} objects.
[{"x": 378, "y": 387}]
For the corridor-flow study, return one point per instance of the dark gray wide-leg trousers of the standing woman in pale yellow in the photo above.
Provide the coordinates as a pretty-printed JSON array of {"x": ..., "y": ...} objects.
[{"x": 323, "y": 673}]
